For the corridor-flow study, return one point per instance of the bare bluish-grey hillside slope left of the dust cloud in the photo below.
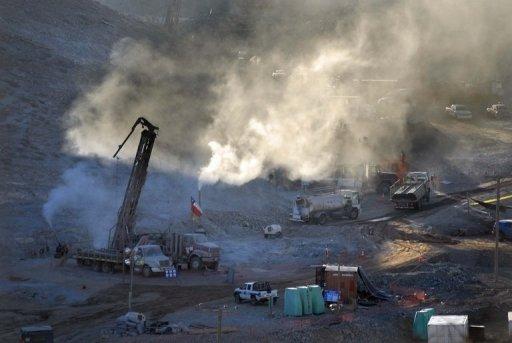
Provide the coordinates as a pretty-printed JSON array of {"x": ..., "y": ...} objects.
[{"x": 49, "y": 50}]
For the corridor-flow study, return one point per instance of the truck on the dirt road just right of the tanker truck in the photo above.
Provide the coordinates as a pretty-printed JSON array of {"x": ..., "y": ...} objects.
[{"x": 411, "y": 192}]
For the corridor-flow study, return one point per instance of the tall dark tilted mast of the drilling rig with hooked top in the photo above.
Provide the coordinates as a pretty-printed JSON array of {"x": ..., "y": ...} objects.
[{"x": 126, "y": 215}]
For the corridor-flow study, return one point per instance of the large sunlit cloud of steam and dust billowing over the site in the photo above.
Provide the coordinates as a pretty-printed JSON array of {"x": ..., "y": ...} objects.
[{"x": 224, "y": 117}]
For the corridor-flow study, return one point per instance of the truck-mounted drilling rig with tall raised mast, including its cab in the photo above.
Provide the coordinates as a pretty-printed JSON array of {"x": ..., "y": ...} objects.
[{"x": 113, "y": 257}]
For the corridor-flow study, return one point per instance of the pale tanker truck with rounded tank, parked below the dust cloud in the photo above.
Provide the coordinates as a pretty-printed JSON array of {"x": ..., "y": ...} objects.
[{"x": 319, "y": 208}]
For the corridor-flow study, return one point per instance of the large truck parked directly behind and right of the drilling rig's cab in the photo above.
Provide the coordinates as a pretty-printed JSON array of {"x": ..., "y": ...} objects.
[{"x": 186, "y": 250}]
